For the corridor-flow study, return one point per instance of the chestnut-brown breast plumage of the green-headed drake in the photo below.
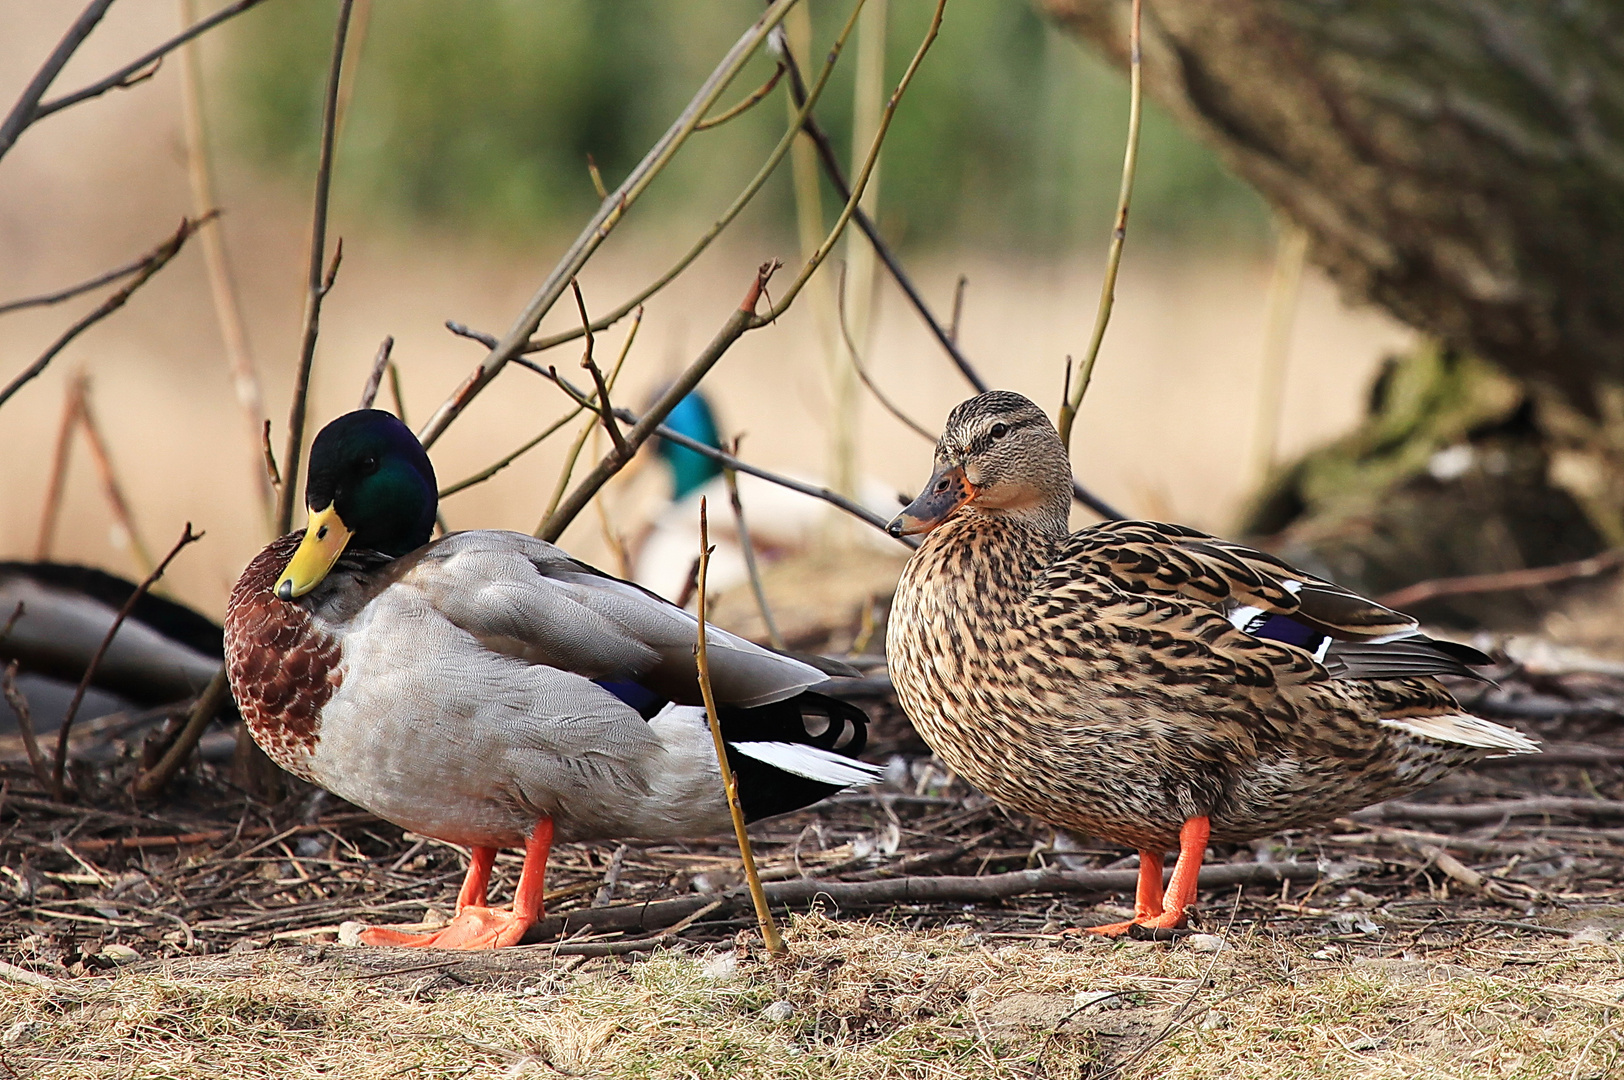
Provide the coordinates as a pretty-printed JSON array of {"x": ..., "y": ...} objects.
[{"x": 283, "y": 667}]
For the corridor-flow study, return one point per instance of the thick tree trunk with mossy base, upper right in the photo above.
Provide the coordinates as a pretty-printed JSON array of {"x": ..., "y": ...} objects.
[{"x": 1462, "y": 165}]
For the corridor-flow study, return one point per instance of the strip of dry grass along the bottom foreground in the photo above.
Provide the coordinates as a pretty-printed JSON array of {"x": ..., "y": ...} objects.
[{"x": 857, "y": 1000}]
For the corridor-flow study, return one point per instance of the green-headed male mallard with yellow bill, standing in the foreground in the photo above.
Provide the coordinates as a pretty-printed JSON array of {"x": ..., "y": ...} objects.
[{"x": 490, "y": 691}]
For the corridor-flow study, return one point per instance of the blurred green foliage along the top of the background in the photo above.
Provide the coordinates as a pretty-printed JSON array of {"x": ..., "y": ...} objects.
[{"x": 480, "y": 114}]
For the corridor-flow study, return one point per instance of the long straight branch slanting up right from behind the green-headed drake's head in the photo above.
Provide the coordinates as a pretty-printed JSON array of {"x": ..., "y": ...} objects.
[{"x": 610, "y": 214}]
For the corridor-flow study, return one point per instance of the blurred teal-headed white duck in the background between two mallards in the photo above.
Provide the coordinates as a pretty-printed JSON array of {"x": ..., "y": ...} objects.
[{"x": 782, "y": 522}]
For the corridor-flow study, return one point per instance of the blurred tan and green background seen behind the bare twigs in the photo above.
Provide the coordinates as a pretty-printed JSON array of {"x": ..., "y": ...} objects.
[{"x": 462, "y": 173}]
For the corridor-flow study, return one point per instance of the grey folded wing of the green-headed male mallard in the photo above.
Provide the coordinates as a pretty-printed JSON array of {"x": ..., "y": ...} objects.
[{"x": 525, "y": 598}]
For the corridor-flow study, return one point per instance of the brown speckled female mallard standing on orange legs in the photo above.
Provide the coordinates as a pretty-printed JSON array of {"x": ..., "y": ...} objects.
[{"x": 1146, "y": 683}]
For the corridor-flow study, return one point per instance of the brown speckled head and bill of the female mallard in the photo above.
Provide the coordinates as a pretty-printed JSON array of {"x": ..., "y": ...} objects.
[{"x": 998, "y": 456}]
